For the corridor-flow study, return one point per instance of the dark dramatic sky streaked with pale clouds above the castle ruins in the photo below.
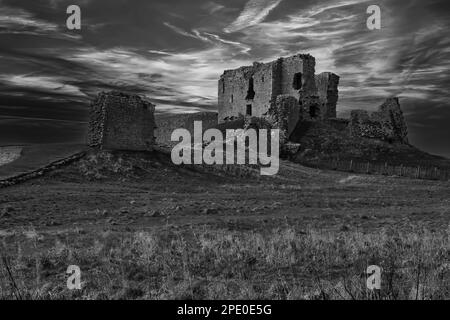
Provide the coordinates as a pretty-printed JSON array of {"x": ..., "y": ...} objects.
[{"x": 175, "y": 51}]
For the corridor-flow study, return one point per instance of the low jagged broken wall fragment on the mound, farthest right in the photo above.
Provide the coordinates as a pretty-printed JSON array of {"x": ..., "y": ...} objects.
[{"x": 387, "y": 124}]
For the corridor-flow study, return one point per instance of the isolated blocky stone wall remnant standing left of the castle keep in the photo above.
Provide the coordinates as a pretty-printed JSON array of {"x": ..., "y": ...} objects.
[{"x": 121, "y": 121}]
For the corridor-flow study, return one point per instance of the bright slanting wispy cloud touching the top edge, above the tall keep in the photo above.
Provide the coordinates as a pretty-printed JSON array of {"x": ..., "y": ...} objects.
[{"x": 254, "y": 12}]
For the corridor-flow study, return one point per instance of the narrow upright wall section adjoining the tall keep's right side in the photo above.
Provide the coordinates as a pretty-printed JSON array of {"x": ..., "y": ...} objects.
[{"x": 327, "y": 89}]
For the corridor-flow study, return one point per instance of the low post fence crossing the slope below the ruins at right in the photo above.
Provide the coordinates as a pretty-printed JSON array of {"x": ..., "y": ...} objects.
[{"x": 416, "y": 172}]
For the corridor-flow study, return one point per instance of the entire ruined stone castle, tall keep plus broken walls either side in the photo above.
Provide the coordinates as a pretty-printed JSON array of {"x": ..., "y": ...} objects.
[{"x": 282, "y": 94}]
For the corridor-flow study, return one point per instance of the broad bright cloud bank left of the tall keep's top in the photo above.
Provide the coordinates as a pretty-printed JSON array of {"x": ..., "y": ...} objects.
[{"x": 190, "y": 76}]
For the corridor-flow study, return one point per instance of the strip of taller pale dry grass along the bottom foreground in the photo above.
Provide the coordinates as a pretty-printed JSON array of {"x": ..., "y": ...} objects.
[{"x": 202, "y": 263}]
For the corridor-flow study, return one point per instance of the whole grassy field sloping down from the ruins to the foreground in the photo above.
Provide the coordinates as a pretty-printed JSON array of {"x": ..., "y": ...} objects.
[{"x": 141, "y": 228}]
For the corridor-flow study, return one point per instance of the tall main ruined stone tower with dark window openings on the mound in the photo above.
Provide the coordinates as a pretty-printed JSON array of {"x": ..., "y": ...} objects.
[{"x": 249, "y": 91}]
